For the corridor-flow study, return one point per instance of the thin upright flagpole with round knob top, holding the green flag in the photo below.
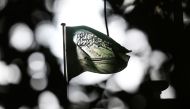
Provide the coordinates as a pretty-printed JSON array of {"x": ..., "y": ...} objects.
[{"x": 65, "y": 64}]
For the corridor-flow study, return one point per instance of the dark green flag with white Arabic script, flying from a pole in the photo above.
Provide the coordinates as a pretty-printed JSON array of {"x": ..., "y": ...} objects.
[{"x": 87, "y": 49}]
